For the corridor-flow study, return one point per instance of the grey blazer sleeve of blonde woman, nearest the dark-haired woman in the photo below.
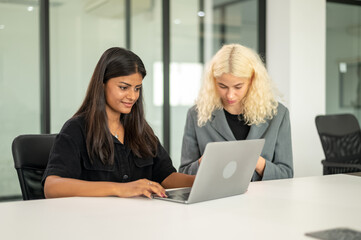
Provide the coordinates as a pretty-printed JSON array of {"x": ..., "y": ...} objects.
[{"x": 190, "y": 150}]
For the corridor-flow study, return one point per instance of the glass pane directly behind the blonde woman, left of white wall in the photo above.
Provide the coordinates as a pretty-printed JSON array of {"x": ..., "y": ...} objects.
[{"x": 198, "y": 30}]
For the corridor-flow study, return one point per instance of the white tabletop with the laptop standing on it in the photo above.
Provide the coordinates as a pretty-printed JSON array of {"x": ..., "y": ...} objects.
[{"x": 280, "y": 209}]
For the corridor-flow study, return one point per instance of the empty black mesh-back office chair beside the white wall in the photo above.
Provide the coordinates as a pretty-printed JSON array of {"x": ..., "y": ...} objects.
[{"x": 341, "y": 142}]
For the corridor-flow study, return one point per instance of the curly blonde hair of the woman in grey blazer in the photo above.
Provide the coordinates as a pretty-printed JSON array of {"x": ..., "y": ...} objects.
[{"x": 258, "y": 105}]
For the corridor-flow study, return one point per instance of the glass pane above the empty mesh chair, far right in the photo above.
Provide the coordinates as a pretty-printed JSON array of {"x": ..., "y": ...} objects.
[{"x": 343, "y": 59}]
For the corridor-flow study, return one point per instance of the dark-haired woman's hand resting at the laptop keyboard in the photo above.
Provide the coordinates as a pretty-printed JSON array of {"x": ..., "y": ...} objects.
[{"x": 142, "y": 187}]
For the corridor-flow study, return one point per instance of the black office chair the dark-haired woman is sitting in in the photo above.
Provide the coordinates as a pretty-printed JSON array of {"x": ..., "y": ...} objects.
[{"x": 31, "y": 153}]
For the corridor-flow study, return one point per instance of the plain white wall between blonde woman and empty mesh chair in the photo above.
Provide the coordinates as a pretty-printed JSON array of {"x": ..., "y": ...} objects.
[{"x": 296, "y": 43}]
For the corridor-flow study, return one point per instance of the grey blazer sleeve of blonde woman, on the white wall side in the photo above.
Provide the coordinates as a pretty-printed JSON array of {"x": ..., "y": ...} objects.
[{"x": 281, "y": 166}]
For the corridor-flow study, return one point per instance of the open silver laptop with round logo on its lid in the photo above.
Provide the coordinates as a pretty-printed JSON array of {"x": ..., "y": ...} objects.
[{"x": 226, "y": 170}]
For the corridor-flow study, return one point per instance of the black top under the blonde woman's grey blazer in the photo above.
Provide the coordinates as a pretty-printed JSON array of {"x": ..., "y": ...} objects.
[{"x": 238, "y": 126}]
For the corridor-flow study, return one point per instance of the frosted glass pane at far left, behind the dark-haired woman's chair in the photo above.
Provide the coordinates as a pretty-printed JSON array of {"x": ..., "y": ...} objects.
[{"x": 19, "y": 83}]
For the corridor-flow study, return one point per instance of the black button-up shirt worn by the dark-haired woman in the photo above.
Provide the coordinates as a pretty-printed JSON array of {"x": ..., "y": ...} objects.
[{"x": 69, "y": 159}]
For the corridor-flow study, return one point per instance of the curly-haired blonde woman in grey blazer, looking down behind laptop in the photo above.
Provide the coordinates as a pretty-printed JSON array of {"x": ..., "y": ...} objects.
[{"x": 237, "y": 102}]
